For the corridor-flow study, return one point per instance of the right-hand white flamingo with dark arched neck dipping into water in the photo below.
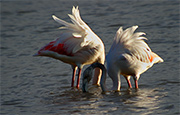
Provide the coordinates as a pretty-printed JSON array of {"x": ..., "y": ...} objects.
[{"x": 129, "y": 56}]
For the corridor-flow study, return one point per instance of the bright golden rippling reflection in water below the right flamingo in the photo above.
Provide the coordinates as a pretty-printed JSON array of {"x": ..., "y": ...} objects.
[{"x": 144, "y": 100}]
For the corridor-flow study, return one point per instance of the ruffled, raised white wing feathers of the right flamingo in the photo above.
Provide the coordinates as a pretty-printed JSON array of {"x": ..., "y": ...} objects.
[{"x": 133, "y": 44}]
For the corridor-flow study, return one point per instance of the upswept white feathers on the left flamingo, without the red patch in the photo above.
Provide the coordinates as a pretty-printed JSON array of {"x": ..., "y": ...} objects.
[{"x": 76, "y": 32}]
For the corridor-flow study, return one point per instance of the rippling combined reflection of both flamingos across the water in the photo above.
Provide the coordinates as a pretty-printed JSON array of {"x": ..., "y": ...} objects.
[{"x": 142, "y": 101}]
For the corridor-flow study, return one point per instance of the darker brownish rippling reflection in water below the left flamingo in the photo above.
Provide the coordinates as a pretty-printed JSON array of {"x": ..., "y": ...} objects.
[{"x": 73, "y": 100}]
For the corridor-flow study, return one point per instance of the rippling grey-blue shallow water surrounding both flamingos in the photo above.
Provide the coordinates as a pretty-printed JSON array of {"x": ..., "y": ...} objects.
[{"x": 40, "y": 85}]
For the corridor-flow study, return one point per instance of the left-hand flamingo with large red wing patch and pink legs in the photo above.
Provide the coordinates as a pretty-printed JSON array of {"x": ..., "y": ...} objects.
[{"x": 78, "y": 45}]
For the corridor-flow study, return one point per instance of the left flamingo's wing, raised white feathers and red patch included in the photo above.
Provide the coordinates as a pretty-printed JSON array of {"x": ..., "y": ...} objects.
[{"x": 73, "y": 39}]
